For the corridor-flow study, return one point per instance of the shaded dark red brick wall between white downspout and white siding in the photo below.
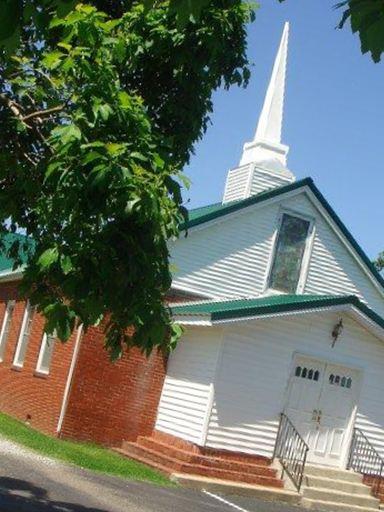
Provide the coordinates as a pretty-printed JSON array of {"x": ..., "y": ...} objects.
[{"x": 112, "y": 402}]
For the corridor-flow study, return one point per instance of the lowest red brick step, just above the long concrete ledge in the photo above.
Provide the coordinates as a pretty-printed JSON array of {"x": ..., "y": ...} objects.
[{"x": 170, "y": 465}]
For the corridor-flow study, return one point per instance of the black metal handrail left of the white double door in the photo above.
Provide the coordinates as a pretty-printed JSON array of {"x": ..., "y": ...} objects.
[{"x": 291, "y": 450}]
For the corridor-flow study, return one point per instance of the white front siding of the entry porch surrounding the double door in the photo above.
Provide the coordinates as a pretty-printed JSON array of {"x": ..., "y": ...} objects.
[{"x": 255, "y": 366}]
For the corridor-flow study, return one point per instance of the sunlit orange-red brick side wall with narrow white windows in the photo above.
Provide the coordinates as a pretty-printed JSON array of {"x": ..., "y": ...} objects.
[{"x": 23, "y": 393}]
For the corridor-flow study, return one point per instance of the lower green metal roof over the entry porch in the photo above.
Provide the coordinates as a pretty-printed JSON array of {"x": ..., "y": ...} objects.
[{"x": 240, "y": 308}]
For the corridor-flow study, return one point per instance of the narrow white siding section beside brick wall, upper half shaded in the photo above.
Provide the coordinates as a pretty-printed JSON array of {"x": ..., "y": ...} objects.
[{"x": 183, "y": 408}]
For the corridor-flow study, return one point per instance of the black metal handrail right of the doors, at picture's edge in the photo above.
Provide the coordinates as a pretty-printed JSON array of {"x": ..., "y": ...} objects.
[{"x": 365, "y": 459}]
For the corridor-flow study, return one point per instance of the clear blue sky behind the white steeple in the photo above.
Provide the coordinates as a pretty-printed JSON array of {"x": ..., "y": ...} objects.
[{"x": 333, "y": 116}]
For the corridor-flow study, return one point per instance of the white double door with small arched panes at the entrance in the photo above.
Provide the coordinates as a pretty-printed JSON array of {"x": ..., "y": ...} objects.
[{"x": 321, "y": 402}]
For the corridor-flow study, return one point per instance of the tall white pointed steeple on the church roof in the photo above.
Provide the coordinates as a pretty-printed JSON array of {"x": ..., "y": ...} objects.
[{"x": 264, "y": 159}]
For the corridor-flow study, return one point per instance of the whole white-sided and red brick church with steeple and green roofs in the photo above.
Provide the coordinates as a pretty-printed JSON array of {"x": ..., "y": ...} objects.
[{"x": 279, "y": 372}]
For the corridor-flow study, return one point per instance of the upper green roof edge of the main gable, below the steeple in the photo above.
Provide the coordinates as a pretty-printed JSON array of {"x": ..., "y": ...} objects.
[{"x": 217, "y": 210}]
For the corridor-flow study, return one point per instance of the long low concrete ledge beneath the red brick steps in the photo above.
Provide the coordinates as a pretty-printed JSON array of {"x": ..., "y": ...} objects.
[{"x": 236, "y": 488}]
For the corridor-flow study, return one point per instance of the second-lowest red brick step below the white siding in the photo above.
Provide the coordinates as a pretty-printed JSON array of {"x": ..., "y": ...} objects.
[{"x": 259, "y": 466}]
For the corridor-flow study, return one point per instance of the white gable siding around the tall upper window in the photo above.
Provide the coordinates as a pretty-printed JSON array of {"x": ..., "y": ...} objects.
[{"x": 230, "y": 258}]
